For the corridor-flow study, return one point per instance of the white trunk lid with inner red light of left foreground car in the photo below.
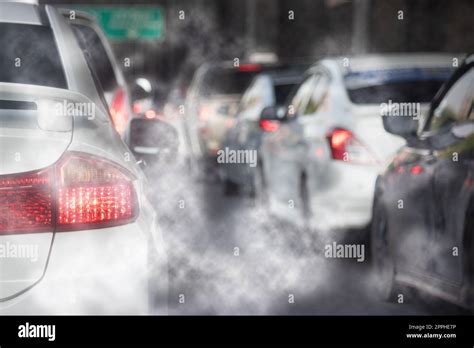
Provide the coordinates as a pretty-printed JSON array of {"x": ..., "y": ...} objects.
[{"x": 33, "y": 136}]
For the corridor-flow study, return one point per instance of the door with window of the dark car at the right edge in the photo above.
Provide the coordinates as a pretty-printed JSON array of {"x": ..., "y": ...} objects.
[{"x": 452, "y": 128}]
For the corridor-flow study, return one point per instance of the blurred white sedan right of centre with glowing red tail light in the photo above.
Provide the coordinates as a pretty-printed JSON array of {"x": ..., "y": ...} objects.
[{"x": 320, "y": 162}]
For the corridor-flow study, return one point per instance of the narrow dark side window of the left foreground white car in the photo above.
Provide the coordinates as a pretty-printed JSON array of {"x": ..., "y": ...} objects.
[{"x": 99, "y": 61}]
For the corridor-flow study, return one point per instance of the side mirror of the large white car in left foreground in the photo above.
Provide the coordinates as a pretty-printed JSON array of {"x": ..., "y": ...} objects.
[{"x": 150, "y": 139}]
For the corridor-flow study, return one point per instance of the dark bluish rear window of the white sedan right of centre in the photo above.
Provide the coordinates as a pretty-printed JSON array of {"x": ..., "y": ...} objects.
[{"x": 398, "y": 85}]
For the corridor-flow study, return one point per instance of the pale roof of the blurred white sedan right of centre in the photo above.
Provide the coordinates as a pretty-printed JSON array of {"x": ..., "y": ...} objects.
[{"x": 372, "y": 62}]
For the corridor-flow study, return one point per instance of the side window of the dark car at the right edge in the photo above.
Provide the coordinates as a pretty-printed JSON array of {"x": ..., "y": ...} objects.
[{"x": 457, "y": 105}]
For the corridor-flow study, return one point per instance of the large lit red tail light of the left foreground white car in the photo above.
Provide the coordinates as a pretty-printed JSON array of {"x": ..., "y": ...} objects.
[{"x": 79, "y": 192}]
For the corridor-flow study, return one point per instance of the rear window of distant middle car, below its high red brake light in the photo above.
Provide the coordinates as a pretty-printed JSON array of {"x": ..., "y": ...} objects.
[{"x": 225, "y": 81}]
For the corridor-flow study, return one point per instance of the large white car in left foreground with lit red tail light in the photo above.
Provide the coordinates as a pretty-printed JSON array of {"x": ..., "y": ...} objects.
[{"x": 77, "y": 233}]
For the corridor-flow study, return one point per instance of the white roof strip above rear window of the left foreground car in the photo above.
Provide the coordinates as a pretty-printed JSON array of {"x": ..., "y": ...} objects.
[{"x": 24, "y": 13}]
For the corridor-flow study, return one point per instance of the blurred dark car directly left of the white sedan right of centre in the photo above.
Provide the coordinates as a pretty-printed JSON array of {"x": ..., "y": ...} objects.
[{"x": 268, "y": 89}]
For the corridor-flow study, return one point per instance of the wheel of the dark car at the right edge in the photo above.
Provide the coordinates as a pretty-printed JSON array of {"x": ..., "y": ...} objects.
[{"x": 382, "y": 260}]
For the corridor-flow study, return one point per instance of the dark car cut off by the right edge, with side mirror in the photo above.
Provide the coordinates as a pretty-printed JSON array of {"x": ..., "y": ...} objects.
[{"x": 423, "y": 226}]
